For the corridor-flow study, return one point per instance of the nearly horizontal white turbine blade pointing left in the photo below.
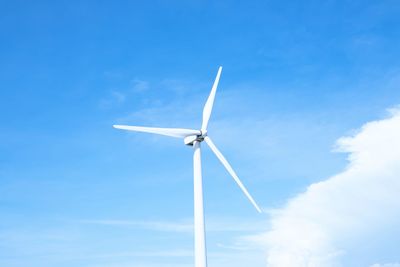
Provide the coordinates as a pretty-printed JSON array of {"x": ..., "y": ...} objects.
[{"x": 174, "y": 132}]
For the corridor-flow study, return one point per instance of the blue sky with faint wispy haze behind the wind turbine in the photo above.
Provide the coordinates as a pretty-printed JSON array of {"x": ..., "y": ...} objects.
[{"x": 298, "y": 75}]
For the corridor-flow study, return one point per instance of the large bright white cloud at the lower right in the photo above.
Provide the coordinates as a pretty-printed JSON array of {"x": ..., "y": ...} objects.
[{"x": 323, "y": 225}]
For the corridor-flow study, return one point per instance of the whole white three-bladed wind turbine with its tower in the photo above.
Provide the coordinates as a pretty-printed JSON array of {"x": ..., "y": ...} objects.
[{"x": 194, "y": 138}]
